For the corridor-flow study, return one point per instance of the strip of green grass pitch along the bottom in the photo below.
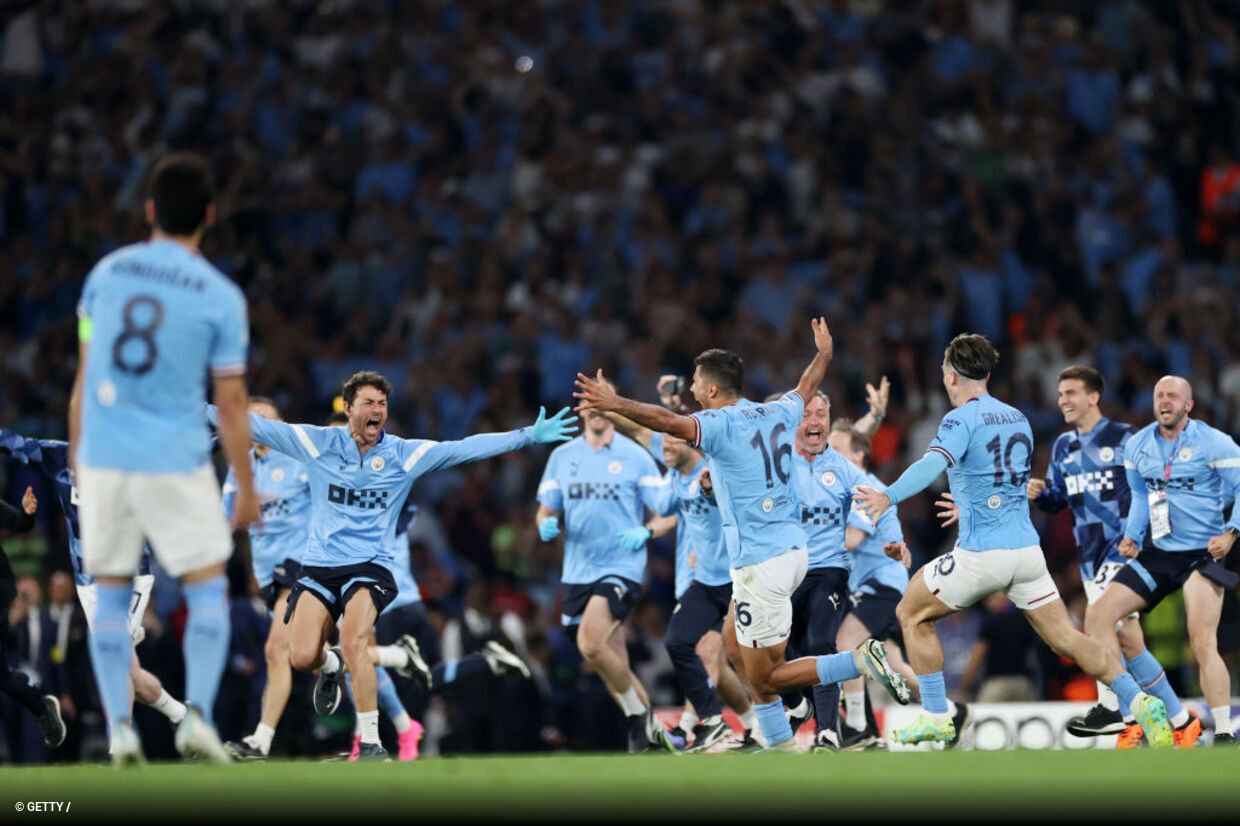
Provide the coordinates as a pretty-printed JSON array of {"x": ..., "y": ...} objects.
[{"x": 953, "y": 786}]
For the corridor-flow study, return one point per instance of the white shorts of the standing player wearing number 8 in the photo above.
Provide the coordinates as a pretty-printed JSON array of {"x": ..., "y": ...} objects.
[{"x": 178, "y": 514}]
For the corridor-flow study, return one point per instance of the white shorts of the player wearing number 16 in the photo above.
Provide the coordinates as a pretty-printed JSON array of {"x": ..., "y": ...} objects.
[{"x": 763, "y": 597}]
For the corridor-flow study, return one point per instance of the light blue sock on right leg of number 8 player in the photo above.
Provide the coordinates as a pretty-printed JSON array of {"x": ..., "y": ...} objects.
[{"x": 206, "y": 642}]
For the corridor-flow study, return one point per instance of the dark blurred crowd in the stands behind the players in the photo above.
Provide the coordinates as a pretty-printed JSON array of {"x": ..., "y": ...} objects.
[{"x": 479, "y": 200}]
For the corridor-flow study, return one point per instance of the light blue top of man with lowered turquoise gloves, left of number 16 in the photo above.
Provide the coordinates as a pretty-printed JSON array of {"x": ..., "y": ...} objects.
[{"x": 601, "y": 493}]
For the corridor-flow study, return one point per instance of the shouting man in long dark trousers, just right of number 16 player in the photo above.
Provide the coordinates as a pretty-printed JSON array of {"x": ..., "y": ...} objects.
[{"x": 825, "y": 479}]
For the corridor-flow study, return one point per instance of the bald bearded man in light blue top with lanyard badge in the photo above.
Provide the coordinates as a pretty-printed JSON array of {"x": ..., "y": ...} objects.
[{"x": 1182, "y": 473}]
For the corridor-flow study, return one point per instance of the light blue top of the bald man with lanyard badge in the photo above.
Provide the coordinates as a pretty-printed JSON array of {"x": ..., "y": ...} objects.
[{"x": 1201, "y": 476}]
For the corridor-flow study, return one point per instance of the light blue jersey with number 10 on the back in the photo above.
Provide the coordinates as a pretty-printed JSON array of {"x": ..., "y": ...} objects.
[{"x": 989, "y": 447}]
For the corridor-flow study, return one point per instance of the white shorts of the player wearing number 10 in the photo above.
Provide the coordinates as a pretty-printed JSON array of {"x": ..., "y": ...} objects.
[{"x": 960, "y": 579}]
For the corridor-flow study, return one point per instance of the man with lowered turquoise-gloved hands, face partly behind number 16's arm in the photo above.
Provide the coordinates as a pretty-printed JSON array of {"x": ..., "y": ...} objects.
[{"x": 600, "y": 483}]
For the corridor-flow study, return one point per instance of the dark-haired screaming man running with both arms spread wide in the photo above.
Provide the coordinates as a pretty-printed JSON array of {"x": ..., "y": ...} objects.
[{"x": 358, "y": 476}]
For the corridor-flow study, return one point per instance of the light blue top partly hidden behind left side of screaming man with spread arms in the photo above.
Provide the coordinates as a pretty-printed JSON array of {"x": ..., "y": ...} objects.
[{"x": 283, "y": 487}]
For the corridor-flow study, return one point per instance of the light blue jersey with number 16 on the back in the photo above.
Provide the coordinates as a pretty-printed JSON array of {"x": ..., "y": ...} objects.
[{"x": 751, "y": 452}]
